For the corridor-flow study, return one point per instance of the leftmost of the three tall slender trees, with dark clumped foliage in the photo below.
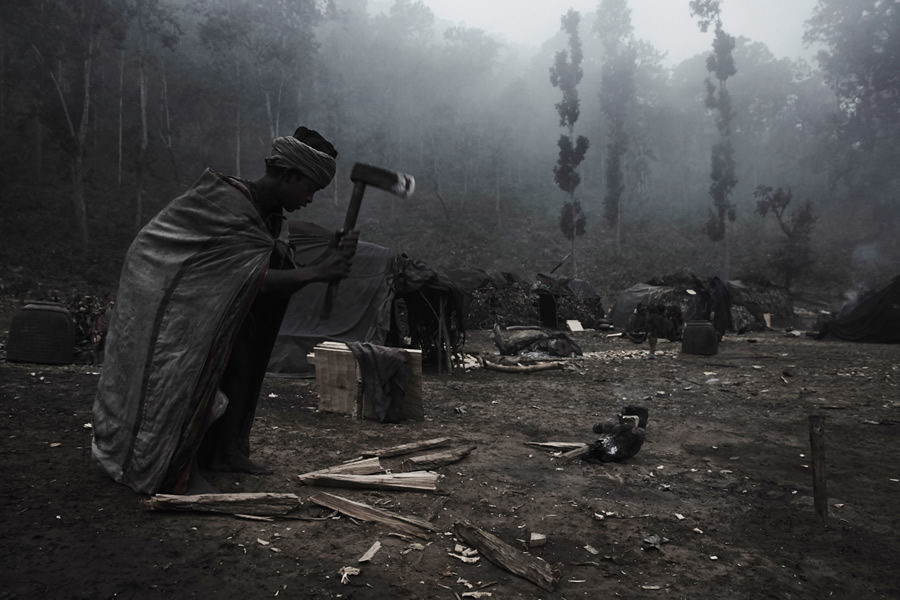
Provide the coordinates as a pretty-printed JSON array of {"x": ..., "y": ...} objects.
[{"x": 566, "y": 74}]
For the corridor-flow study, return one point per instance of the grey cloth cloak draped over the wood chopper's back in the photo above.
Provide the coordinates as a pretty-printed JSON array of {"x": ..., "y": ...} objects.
[{"x": 188, "y": 281}]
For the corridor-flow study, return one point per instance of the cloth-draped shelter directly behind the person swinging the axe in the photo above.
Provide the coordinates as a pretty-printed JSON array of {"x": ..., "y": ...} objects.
[{"x": 386, "y": 297}]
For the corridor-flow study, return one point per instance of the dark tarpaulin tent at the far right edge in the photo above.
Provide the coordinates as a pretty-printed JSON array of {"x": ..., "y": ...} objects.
[{"x": 875, "y": 319}]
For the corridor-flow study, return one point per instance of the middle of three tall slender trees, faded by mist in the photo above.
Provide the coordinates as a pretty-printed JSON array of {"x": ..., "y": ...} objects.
[{"x": 617, "y": 93}]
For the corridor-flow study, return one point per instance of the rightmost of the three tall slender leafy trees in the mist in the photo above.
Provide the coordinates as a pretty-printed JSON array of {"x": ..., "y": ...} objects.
[{"x": 720, "y": 65}]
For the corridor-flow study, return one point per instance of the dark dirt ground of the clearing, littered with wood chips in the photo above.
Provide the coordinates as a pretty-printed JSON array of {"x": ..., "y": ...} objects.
[{"x": 723, "y": 481}]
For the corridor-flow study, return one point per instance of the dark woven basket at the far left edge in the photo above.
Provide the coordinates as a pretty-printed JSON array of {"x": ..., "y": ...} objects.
[{"x": 43, "y": 333}]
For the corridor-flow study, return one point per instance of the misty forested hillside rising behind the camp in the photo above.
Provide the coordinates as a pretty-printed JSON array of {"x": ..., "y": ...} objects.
[{"x": 589, "y": 152}]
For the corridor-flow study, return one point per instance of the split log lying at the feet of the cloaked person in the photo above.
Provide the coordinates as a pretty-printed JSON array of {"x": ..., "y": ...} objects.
[{"x": 255, "y": 504}]
